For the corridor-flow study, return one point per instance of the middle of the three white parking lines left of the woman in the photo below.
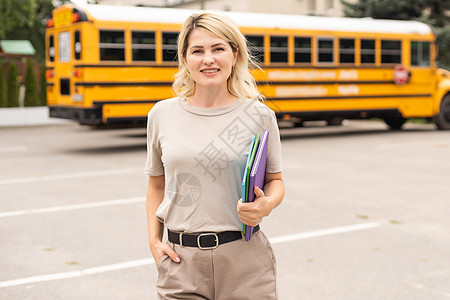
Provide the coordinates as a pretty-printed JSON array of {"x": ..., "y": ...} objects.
[{"x": 71, "y": 207}]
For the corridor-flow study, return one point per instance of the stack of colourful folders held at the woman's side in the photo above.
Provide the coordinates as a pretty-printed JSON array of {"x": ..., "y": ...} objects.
[{"x": 255, "y": 171}]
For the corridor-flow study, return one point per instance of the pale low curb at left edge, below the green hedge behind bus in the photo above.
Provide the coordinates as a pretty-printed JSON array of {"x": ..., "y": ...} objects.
[{"x": 27, "y": 116}]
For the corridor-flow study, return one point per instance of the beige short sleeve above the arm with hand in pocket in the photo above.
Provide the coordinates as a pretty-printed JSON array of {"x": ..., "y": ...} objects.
[{"x": 154, "y": 165}]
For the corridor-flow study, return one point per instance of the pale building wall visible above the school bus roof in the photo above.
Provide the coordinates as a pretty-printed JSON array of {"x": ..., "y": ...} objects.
[{"x": 302, "y": 7}]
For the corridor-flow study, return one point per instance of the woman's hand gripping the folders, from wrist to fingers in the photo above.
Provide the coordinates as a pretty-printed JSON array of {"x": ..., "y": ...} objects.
[{"x": 251, "y": 213}]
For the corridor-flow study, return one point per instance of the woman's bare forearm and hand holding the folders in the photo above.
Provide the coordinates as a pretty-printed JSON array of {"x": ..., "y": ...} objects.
[{"x": 265, "y": 201}]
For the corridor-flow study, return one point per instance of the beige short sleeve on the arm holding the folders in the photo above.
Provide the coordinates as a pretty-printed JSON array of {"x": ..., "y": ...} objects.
[{"x": 274, "y": 151}]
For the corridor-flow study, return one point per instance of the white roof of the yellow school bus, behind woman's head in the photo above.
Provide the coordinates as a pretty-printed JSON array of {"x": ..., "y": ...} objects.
[{"x": 244, "y": 19}]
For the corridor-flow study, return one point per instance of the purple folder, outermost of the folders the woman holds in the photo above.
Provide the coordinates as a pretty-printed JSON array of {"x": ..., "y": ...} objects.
[{"x": 257, "y": 174}]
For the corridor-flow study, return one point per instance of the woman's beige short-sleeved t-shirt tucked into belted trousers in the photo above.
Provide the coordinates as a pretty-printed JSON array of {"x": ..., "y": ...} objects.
[{"x": 202, "y": 152}]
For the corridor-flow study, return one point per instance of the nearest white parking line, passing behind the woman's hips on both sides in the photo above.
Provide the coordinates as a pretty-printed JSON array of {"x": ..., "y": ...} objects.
[{"x": 149, "y": 261}]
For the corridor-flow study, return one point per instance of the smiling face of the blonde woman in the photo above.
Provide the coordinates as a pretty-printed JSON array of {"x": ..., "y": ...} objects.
[{"x": 209, "y": 59}]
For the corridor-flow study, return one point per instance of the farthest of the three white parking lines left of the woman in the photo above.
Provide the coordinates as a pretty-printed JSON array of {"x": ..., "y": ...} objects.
[{"x": 69, "y": 175}]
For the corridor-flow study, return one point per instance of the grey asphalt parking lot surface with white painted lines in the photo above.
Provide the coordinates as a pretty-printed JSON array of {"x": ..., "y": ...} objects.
[{"x": 366, "y": 213}]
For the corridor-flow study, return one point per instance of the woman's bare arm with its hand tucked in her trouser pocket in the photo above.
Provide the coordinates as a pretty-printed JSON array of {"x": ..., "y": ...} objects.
[{"x": 155, "y": 195}]
